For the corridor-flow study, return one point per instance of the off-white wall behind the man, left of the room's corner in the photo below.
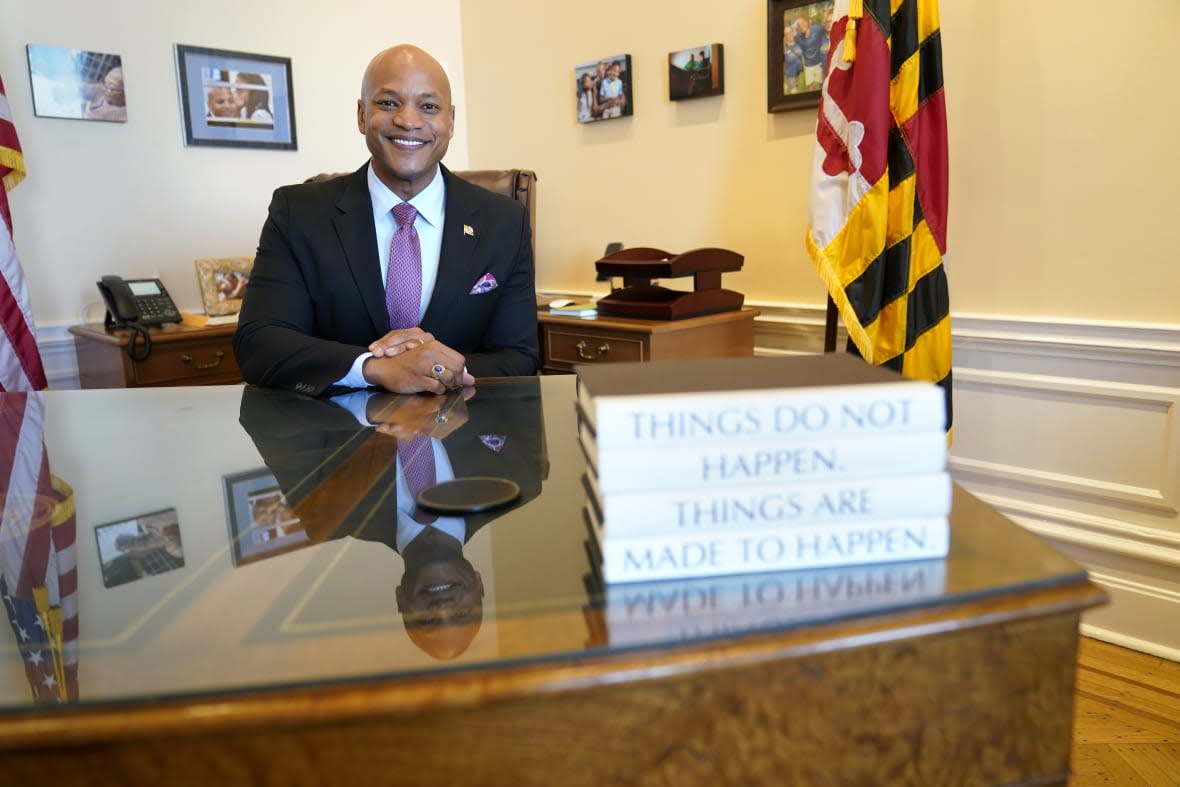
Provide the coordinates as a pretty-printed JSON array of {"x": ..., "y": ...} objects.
[{"x": 132, "y": 199}]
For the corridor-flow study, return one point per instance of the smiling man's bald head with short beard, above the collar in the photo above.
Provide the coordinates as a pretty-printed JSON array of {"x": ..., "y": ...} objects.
[{"x": 407, "y": 116}]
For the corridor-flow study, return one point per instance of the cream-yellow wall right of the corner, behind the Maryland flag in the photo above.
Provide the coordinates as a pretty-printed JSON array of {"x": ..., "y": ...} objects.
[{"x": 1061, "y": 200}]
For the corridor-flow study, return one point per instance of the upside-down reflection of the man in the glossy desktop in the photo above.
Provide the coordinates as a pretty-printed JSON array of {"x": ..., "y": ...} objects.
[{"x": 350, "y": 467}]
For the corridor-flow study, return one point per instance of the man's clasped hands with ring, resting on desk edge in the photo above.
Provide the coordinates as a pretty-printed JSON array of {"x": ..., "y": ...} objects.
[{"x": 410, "y": 360}]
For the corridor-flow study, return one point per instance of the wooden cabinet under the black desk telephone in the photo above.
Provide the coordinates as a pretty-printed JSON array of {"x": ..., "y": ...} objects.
[{"x": 181, "y": 356}]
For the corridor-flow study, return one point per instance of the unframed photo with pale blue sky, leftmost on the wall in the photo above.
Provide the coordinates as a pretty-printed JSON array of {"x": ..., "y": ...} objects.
[{"x": 77, "y": 84}]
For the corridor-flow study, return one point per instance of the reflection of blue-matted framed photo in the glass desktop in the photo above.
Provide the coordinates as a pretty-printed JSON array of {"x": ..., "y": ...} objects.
[{"x": 261, "y": 524}]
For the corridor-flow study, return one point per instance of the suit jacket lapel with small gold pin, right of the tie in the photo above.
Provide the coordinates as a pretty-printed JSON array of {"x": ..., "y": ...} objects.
[{"x": 462, "y": 231}]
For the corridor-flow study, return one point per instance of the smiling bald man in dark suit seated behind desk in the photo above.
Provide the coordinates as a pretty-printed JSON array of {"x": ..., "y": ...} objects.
[{"x": 316, "y": 316}]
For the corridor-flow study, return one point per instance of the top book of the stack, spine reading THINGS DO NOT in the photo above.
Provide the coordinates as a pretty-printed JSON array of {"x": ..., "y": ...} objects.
[{"x": 683, "y": 402}]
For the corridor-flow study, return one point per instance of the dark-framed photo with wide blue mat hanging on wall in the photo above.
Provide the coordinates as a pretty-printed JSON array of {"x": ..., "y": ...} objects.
[{"x": 235, "y": 100}]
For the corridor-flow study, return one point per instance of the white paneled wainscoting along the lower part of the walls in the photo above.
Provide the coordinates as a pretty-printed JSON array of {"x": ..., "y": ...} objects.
[{"x": 1072, "y": 429}]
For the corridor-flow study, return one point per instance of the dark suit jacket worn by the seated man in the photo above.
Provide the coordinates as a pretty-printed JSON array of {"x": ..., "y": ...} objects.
[{"x": 316, "y": 299}]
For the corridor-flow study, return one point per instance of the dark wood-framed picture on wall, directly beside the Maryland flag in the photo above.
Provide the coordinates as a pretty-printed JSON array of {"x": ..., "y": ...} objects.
[{"x": 797, "y": 53}]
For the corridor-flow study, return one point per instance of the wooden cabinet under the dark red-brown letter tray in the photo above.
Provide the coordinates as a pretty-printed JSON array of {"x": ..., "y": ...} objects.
[{"x": 601, "y": 339}]
